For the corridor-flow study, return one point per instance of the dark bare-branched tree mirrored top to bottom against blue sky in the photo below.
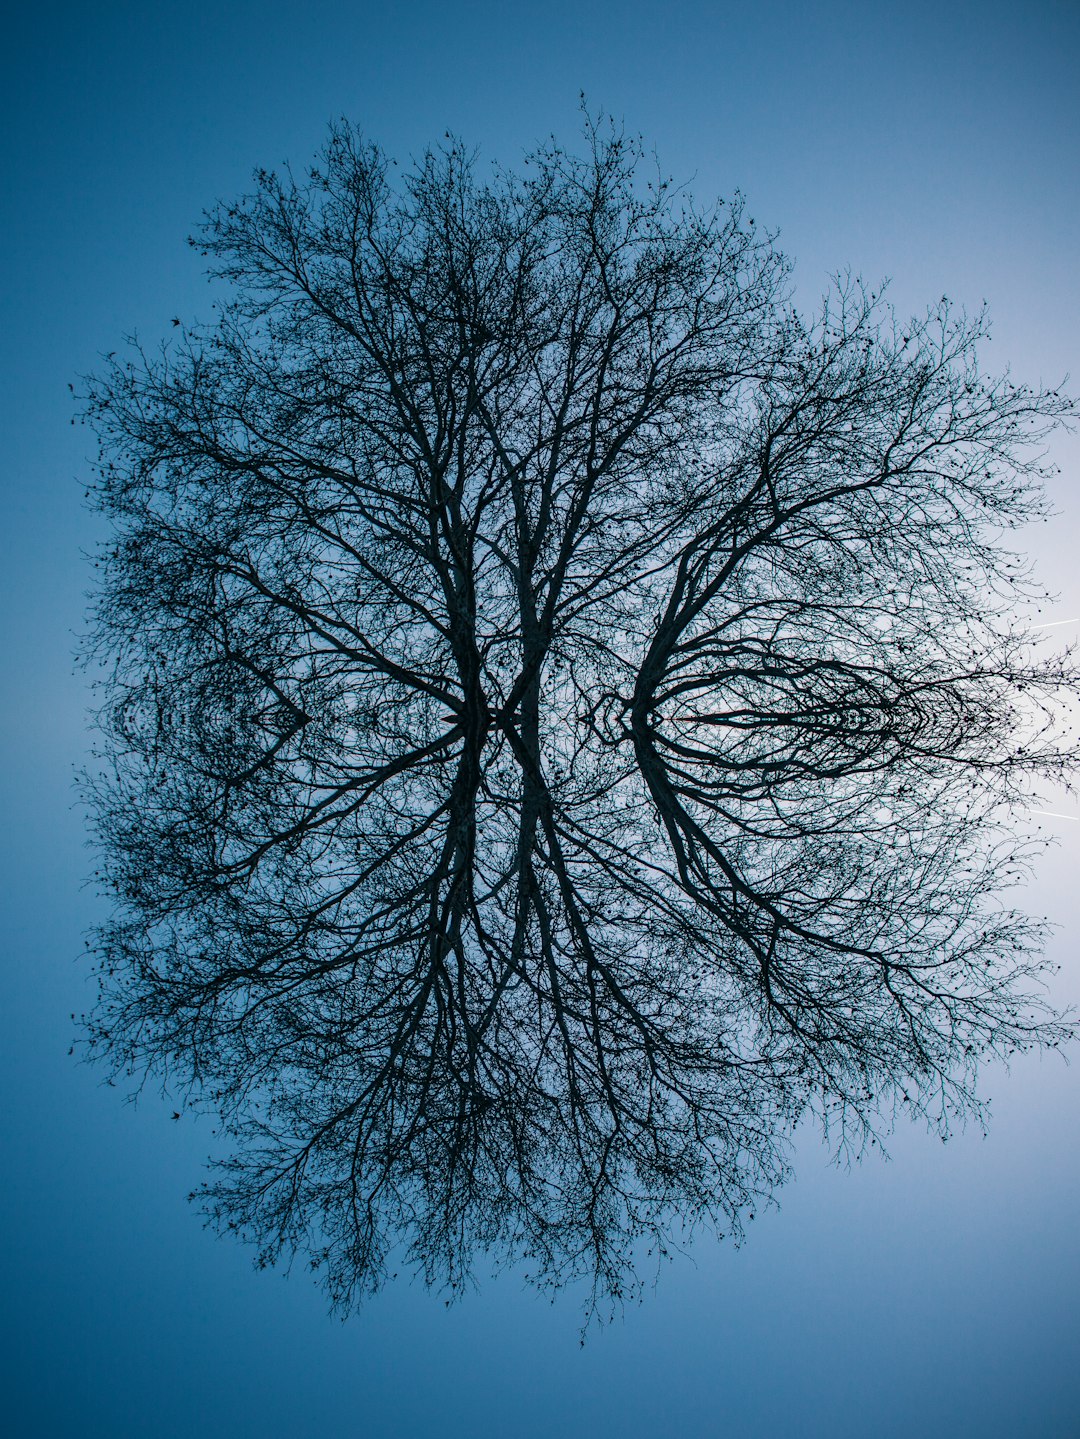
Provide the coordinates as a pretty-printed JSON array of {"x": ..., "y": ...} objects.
[{"x": 564, "y": 714}]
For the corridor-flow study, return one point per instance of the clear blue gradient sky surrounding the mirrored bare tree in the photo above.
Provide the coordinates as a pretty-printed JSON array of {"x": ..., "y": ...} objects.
[{"x": 934, "y": 1296}]
